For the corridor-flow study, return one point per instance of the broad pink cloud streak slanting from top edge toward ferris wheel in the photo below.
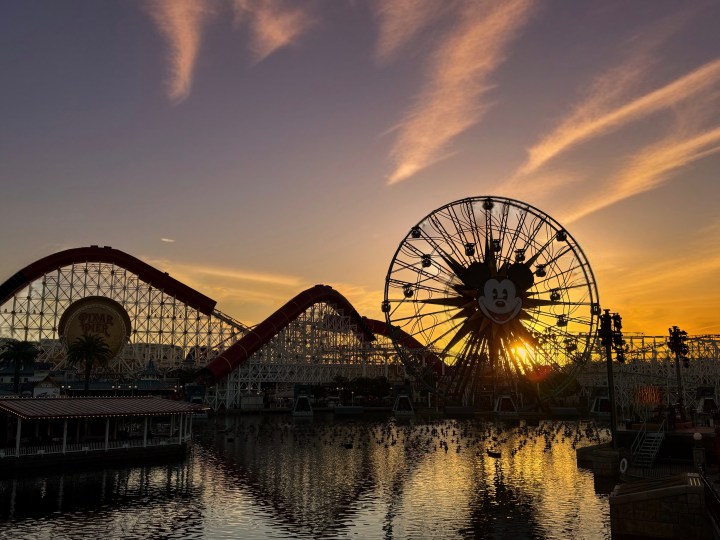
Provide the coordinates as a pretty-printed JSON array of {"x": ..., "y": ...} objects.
[{"x": 451, "y": 101}]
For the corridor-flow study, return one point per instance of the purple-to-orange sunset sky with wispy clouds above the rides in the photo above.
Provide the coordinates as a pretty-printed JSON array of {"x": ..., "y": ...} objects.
[{"x": 254, "y": 148}]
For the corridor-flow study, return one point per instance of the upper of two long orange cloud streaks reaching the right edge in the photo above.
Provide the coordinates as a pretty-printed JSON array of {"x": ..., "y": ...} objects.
[{"x": 590, "y": 120}]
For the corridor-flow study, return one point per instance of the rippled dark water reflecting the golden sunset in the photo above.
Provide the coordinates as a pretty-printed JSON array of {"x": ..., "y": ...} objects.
[{"x": 272, "y": 477}]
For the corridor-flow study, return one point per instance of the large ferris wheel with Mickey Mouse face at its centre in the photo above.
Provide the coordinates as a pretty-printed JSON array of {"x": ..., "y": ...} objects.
[{"x": 491, "y": 292}]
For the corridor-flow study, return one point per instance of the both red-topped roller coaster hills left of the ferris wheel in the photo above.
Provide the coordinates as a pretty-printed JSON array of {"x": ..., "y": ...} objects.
[{"x": 315, "y": 338}]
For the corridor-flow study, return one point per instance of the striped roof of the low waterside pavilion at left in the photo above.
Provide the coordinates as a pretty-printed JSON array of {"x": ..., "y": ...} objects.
[{"x": 103, "y": 407}]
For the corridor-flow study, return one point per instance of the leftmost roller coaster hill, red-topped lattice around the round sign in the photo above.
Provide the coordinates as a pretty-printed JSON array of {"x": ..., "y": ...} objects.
[{"x": 173, "y": 325}]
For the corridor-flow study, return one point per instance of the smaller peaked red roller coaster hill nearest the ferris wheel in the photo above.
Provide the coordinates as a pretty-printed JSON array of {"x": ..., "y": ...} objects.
[{"x": 313, "y": 339}]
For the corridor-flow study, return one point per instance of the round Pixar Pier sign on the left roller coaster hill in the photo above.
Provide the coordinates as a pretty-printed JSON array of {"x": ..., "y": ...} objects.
[{"x": 96, "y": 315}]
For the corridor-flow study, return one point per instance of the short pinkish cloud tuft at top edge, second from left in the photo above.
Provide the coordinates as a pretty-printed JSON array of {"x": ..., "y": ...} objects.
[{"x": 273, "y": 24}]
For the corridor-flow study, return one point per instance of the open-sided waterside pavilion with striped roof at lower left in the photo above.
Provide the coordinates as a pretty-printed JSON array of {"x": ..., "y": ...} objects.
[{"x": 53, "y": 431}]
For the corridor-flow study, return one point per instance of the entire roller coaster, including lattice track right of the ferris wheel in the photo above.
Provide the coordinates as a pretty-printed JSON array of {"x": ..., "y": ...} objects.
[{"x": 314, "y": 338}]
